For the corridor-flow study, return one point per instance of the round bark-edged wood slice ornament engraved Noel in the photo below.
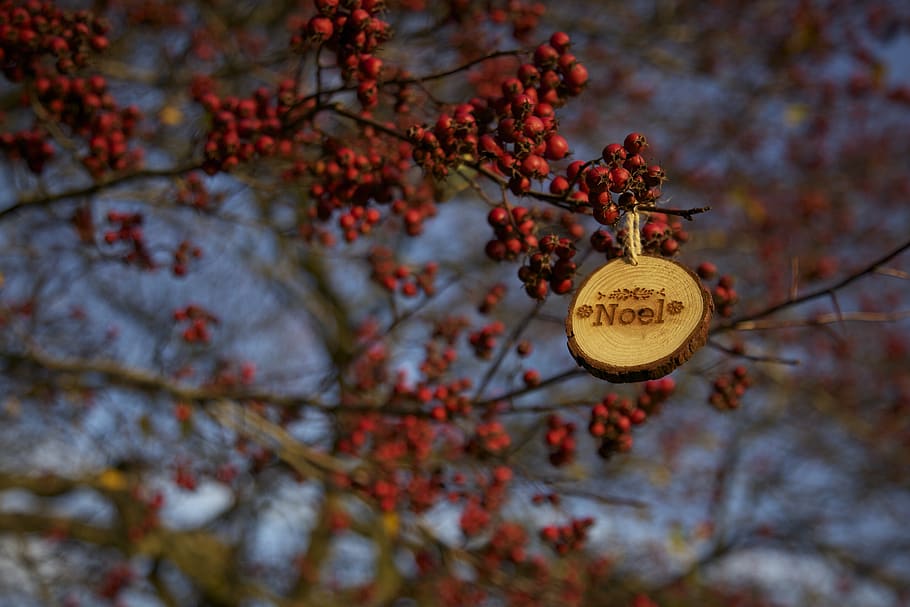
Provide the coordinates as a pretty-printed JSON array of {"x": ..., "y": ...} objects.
[{"x": 635, "y": 322}]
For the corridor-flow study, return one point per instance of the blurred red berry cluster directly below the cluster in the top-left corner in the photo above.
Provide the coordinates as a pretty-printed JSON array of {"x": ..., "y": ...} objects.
[{"x": 86, "y": 106}]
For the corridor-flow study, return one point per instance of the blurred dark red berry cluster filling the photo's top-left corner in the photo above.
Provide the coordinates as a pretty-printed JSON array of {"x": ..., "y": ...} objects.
[{"x": 33, "y": 30}]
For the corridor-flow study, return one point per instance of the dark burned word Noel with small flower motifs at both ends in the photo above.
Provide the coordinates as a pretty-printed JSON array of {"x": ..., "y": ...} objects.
[{"x": 640, "y": 308}]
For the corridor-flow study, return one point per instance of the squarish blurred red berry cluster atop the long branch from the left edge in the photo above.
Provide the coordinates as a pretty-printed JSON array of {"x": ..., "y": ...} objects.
[{"x": 243, "y": 129}]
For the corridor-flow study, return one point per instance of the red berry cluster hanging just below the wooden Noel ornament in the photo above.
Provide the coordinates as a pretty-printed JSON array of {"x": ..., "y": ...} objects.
[{"x": 612, "y": 418}]
